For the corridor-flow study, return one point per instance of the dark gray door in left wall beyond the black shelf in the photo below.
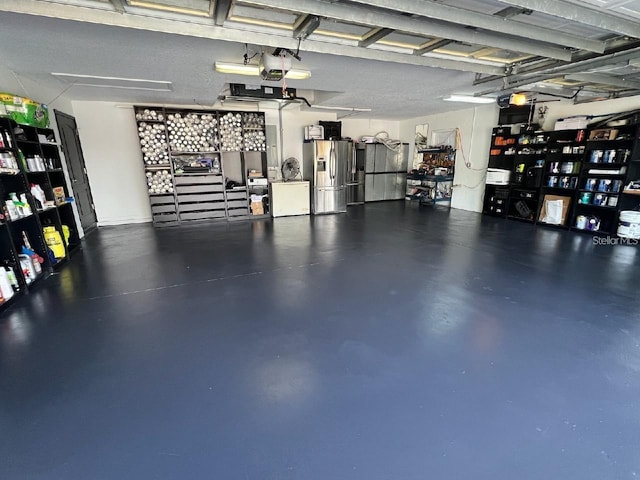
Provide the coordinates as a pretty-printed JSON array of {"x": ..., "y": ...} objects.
[{"x": 77, "y": 171}]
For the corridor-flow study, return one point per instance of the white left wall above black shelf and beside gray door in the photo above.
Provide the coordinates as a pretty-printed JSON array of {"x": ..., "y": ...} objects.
[{"x": 55, "y": 100}]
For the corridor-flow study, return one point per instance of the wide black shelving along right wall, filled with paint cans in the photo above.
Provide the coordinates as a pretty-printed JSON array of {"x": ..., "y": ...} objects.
[{"x": 588, "y": 170}]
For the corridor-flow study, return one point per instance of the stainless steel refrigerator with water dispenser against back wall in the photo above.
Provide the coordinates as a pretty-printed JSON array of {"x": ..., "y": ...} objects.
[{"x": 325, "y": 164}]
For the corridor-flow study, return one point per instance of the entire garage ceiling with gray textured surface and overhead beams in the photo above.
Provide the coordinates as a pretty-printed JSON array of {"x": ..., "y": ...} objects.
[{"x": 395, "y": 57}]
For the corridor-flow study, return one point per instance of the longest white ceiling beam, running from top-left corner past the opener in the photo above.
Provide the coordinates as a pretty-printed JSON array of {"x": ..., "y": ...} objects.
[{"x": 201, "y": 28}]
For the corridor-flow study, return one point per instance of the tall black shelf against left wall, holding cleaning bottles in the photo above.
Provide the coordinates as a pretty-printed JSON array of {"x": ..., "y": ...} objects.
[{"x": 31, "y": 156}]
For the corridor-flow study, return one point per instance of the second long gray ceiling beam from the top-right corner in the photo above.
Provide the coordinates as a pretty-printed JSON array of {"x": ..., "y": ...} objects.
[{"x": 491, "y": 23}]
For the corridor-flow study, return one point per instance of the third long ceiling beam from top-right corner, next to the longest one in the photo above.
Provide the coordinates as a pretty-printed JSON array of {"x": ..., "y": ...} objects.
[{"x": 424, "y": 27}]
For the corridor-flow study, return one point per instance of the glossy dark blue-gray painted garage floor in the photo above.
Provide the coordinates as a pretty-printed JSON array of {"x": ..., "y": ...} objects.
[{"x": 387, "y": 343}]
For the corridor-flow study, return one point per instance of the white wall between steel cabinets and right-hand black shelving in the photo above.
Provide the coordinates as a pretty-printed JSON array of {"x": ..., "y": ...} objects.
[{"x": 475, "y": 126}]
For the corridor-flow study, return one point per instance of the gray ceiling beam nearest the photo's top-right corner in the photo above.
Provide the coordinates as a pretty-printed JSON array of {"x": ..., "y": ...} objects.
[{"x": 584, "y": 14}]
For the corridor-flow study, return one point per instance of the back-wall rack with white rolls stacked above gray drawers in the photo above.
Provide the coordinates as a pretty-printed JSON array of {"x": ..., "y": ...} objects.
[{"x": 202, "y": 165}]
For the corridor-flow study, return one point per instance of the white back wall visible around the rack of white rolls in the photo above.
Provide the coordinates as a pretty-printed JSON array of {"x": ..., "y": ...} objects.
[{"x": 108, "y": 133}]
